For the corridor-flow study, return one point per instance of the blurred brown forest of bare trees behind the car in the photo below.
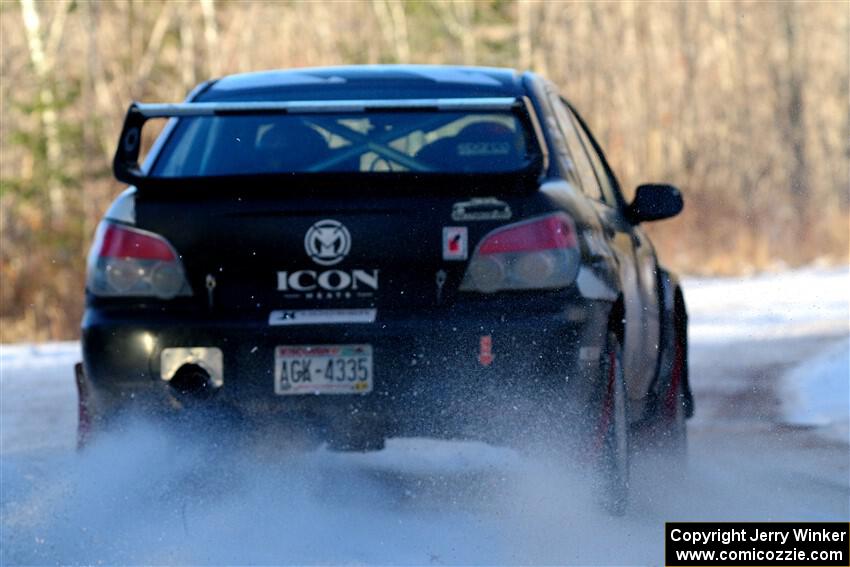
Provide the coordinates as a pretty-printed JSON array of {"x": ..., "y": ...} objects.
[{"x": 744, "y": 105}]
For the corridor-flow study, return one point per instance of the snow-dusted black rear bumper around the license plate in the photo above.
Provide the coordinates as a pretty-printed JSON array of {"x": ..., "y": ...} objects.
[{"x": 428, "y": 379}]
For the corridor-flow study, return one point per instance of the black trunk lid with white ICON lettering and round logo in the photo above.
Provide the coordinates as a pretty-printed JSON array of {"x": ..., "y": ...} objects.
[{"x": 247, "y": 256}]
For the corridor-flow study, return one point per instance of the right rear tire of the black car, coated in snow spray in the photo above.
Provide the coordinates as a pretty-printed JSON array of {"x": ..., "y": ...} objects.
[{"x": 614, "y": 451}]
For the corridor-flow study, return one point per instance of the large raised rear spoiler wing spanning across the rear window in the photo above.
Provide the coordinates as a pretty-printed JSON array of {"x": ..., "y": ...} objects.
[{"x": 126, "y": 166}]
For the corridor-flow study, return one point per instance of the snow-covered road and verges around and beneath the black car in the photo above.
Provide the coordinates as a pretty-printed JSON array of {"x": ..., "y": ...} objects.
[{"x": 769, "y": 442}]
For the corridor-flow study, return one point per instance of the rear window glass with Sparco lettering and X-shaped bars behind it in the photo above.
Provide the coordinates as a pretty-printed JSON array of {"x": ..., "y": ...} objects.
[{"x": 440, "y": 142}]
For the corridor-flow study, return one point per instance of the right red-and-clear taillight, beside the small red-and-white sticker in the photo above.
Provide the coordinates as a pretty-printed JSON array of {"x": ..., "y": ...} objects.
[{"x": 540, "y": 253}]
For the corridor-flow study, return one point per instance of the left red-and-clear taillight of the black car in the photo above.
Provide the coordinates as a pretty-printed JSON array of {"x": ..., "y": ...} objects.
[{"x": 128, "y": 262}]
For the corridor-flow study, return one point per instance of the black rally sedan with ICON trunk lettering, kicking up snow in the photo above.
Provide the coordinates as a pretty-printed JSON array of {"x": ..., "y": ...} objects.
[{"x": 355, "y": 253}]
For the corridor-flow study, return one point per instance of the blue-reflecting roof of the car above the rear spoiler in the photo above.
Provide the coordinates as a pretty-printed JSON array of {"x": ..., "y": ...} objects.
[{"x": 365, "y": 82}]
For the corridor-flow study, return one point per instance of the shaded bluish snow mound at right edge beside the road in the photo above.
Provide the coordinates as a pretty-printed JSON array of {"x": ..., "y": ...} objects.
[{"x": 817, "y": 393}]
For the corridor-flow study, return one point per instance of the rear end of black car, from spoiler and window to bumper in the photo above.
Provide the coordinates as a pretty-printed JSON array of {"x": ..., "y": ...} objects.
[{"x": 349, "y": 269}]
